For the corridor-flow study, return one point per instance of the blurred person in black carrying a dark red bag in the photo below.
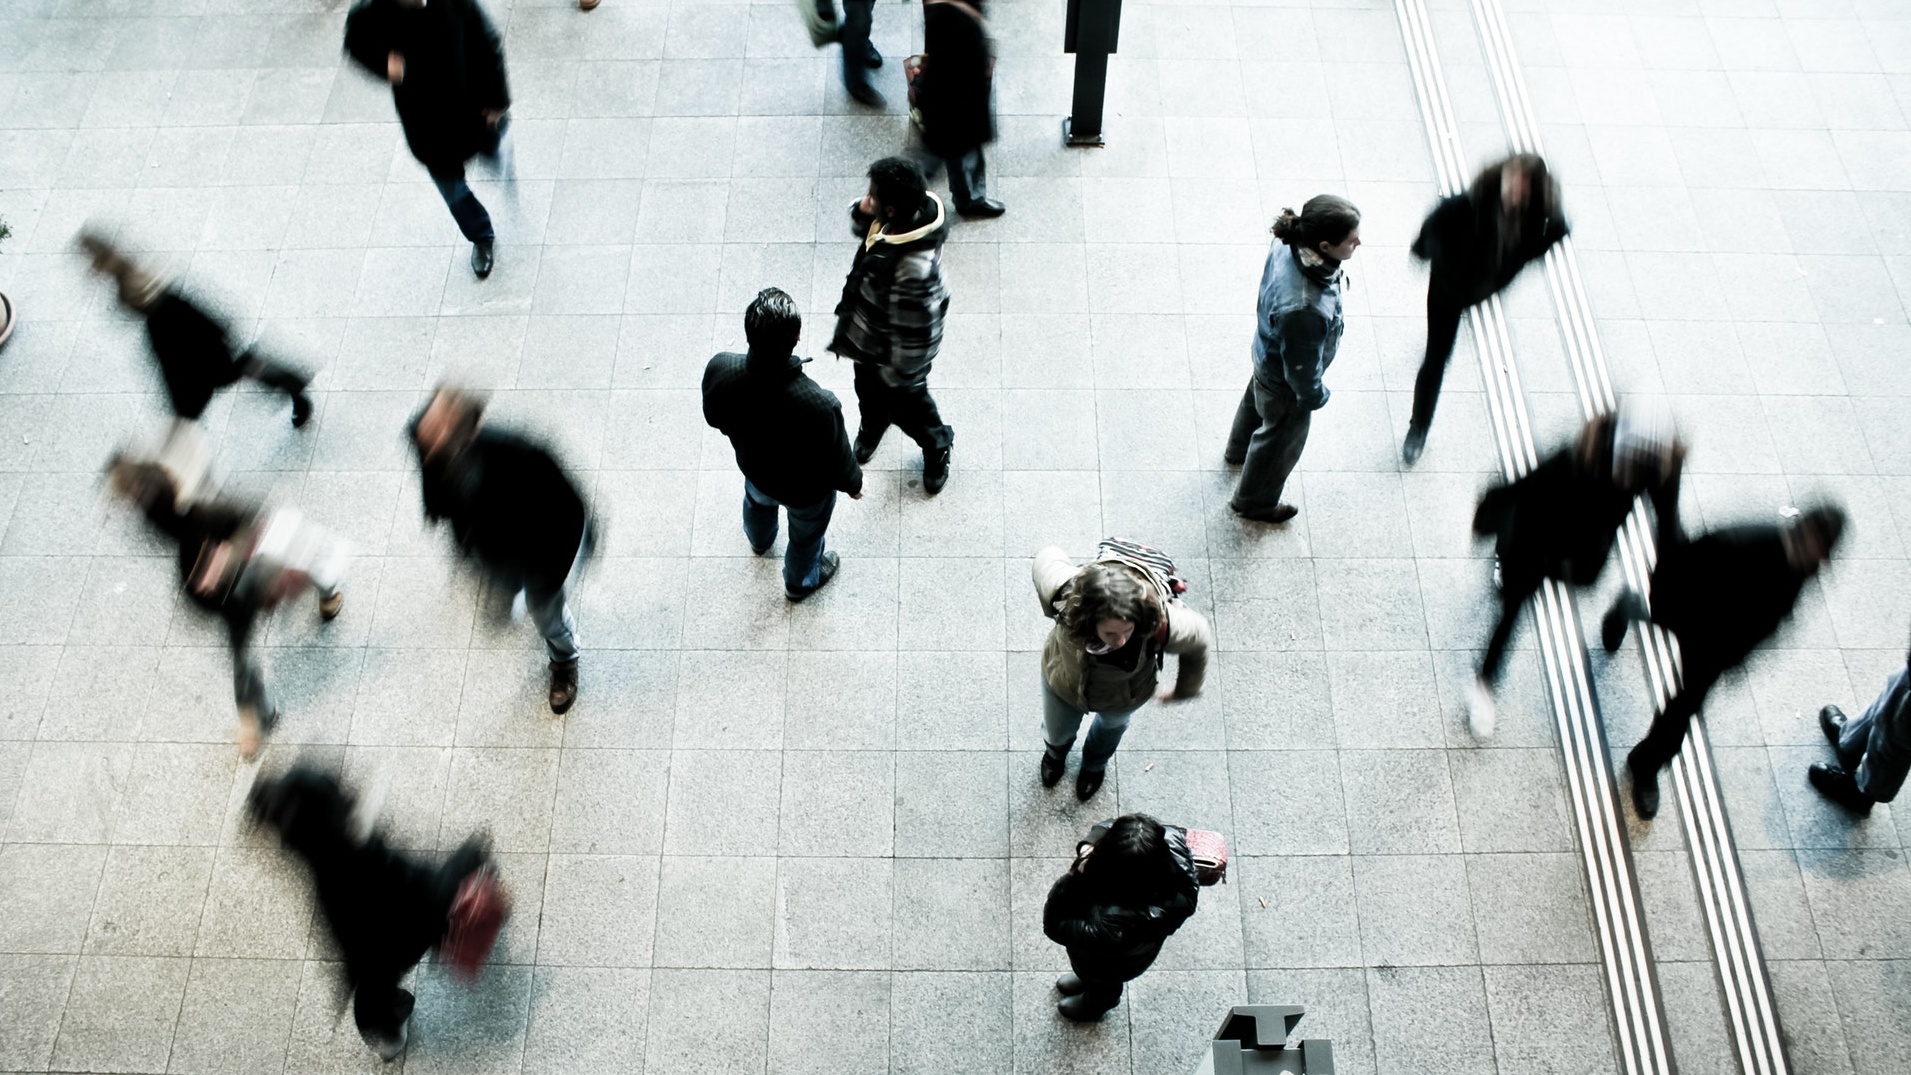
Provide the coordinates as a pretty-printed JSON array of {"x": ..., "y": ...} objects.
[{"x": 385, "y": 910}]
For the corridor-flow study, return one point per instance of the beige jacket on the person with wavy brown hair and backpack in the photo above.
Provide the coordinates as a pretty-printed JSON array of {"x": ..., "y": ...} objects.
[{"x": 1065, "y": 664}]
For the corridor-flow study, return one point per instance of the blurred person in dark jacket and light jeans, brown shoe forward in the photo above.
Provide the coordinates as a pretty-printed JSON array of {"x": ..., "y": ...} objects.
[{"x": 515, "y": 513}]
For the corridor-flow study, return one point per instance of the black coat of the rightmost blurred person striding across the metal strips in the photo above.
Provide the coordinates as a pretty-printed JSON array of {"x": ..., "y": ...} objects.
[{"x": 1725, "y": 593}]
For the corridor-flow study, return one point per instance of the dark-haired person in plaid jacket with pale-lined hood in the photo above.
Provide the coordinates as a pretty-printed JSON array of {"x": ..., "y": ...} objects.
[{"x": 890, "y": 320}]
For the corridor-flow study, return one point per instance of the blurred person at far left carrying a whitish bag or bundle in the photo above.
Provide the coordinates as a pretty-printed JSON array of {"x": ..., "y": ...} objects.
[{"x": 238, "y": 562}]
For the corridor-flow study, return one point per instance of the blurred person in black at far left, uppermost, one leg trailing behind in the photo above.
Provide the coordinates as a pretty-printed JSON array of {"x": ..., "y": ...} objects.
[{"x": 196, "y": 356}]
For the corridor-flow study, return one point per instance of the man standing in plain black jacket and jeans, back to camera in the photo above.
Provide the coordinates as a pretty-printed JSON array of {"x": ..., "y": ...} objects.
[{"x": 788, "y": 436}]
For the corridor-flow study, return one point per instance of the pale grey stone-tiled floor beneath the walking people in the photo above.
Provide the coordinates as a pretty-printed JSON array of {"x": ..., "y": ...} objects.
[{"x": 809, "y": 839}]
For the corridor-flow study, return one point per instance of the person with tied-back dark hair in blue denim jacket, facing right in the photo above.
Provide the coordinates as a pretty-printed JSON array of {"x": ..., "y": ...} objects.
[{"x": 1299, "y": 326}]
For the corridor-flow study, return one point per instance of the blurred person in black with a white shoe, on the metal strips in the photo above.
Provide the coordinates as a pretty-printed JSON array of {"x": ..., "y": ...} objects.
[{"x": 1560, "y": 520}]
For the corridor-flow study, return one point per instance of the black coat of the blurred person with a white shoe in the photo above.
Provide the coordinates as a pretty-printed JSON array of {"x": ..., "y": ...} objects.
[{"x": 1560, "y": 520}]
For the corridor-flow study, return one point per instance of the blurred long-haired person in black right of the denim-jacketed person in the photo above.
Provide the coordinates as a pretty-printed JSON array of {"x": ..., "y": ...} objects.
[{"x": 1476, "y": 243}]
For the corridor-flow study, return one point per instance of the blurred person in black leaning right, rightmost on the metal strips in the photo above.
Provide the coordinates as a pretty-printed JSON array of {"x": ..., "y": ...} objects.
[{"x": 1723, "y": 595}]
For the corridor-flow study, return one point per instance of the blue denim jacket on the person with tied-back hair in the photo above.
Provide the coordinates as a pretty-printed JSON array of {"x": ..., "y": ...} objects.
[{"x": 1299, "y": 324}]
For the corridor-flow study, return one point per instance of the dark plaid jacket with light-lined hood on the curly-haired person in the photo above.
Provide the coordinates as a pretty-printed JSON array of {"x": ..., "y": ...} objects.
[{"x": 895, "y": 301}]
